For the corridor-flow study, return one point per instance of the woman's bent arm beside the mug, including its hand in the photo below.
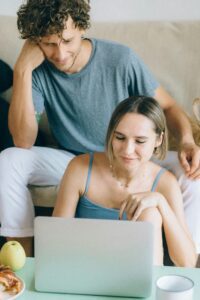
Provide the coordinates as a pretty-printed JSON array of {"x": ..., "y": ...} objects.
[{"x": 169, "y": 203}]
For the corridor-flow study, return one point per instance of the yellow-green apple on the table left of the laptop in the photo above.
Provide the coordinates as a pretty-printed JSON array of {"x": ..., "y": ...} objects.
[{"x": 13, "y": 255}]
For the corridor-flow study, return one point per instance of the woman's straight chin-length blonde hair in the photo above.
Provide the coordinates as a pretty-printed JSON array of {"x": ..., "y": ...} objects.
[{"x": 147, "y": 107}]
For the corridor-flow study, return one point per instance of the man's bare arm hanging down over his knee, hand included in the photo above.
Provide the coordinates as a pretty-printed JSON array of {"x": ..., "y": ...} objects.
[{"x": 178, "y": 123}]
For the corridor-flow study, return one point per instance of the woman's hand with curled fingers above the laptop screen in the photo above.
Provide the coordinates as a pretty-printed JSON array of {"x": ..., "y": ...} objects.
[{"x": 135, "y": 204}]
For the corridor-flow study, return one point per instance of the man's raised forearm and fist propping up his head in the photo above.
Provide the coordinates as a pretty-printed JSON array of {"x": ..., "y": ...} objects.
[{"x": 22, "y": 120}]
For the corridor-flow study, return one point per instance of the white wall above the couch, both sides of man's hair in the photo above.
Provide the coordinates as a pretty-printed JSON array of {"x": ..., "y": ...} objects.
[{"x": 125, "y": 10}]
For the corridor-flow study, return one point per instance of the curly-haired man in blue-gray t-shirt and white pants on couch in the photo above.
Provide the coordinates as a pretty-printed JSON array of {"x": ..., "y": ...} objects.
[{"x": 79, "y": 83}]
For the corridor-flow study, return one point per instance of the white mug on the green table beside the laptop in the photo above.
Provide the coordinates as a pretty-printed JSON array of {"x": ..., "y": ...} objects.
[{"x": 174, "y": 287}]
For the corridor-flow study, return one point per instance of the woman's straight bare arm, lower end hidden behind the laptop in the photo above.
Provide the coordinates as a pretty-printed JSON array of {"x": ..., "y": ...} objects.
[{"x": 71, "y": 188}]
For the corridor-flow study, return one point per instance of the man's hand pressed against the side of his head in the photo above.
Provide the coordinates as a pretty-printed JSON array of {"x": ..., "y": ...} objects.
[{"x": 30, "y": 58}]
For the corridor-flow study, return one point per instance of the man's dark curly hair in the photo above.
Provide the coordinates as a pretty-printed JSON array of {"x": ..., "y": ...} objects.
[{"x": 39, "y": 18}]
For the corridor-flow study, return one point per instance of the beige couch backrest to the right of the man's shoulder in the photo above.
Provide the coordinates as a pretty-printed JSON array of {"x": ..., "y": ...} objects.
[{"x": 170, "y": 49}]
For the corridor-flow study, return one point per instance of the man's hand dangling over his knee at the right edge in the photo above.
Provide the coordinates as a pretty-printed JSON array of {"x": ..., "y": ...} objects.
[{"x": 189, "y": 156}]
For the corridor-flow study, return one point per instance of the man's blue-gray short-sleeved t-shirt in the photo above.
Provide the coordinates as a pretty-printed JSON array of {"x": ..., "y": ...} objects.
[{"x": 79, "y": 105}]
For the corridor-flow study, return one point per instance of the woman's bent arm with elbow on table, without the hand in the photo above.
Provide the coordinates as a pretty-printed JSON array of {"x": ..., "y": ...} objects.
[{"x": 180, "y": 244}]
